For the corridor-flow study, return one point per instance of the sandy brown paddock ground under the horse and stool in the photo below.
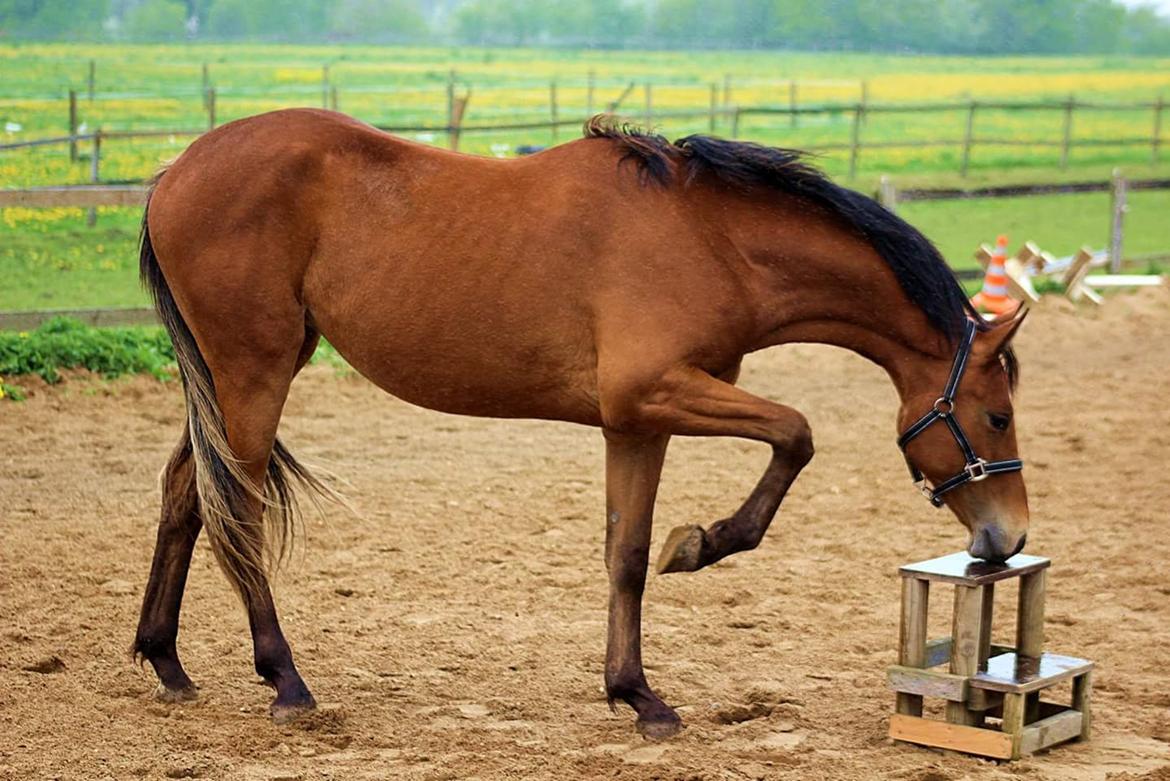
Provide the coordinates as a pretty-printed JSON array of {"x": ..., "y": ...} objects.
[{"x": 456, "y": 631}]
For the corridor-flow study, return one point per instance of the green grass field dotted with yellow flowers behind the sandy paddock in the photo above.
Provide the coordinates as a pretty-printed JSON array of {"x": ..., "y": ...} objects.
[{"x": 50, "y": 259}]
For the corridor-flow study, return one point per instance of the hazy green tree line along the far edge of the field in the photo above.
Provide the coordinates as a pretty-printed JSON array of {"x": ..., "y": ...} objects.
[{"x": 906, "y": 26}]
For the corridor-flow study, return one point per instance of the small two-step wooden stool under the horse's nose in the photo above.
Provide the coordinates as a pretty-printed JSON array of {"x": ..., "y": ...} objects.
[{"x": 983, "y": 681}]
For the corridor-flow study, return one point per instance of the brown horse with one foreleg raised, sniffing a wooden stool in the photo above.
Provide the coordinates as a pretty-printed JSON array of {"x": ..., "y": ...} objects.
[{"x": 616, "y": 281}]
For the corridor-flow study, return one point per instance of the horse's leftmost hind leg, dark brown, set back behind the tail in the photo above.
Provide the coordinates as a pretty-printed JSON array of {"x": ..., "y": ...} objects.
[{"x": 159, "y": 625}]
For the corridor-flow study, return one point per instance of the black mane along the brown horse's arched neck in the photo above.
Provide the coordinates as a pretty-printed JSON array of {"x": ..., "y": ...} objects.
[{"x": 919, "y": 266}]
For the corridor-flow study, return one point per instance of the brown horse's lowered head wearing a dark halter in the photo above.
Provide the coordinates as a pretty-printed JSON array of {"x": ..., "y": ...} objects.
[{"x": 963, "y": 443}]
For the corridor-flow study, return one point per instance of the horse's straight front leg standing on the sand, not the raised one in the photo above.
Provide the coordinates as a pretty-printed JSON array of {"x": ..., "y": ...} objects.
[{"x": 634, "y": 466}]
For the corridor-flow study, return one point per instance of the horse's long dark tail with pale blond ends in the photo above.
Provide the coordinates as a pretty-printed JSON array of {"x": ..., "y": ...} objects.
[{"x": 246, "y": 543}]
